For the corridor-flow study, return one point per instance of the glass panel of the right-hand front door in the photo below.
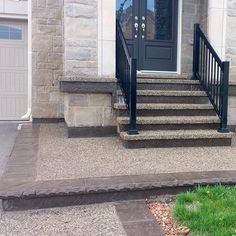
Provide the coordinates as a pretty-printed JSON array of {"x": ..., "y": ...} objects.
[{"x": 159, "y": 19}]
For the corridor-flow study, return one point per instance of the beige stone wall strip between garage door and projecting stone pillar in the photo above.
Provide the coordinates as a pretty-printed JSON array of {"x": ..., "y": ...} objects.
[{"x": 47, "y": 58}]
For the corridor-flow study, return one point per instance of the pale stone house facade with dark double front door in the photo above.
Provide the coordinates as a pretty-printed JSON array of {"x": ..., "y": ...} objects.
[{"x": 72, "y": 67}]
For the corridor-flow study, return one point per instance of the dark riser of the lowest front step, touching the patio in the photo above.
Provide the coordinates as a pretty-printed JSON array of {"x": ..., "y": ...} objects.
[{"x": 178, "y": 143}]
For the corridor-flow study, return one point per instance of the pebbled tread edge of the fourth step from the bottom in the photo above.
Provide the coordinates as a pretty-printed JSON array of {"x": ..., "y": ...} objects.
[{"x": 168, "y": 93}]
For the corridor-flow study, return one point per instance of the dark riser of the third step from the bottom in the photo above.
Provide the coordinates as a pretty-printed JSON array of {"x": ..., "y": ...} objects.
[{"x": 193, "y": 112}]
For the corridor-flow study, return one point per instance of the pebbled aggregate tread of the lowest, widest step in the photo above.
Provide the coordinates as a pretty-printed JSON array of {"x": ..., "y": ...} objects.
[{"x": 175, "y": 134}]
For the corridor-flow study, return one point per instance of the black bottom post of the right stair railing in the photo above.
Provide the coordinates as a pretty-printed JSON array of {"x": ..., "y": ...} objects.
[{"x": 224, "y": 96}]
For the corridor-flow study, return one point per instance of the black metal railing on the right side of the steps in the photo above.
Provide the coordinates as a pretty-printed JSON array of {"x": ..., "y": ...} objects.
[{"x": 213, "y": 75}]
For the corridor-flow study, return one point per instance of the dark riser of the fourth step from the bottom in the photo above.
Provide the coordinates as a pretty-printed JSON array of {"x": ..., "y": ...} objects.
[{"x": 171, "y": 99}]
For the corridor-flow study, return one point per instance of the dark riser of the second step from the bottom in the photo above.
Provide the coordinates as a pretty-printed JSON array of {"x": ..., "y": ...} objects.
[{"x": 172, "y": 127}]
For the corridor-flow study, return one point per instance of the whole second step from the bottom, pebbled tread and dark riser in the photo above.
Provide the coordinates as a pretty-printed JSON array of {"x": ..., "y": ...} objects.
[{"x": 170, "y": 123}]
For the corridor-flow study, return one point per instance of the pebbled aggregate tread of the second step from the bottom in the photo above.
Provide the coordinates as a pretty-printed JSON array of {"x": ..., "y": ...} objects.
[{"x": 145, "y": 120}]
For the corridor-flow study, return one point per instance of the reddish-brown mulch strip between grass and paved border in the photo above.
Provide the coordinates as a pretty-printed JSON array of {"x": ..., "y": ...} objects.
[{"x": 161, "y": 208}]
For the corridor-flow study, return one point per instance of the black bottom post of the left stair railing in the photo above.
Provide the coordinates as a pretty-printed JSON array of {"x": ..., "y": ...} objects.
[{"x": 133, "y": 98}]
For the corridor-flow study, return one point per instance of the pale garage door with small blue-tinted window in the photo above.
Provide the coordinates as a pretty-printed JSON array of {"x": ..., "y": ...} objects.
[{"x": 13, "y": 69}]
